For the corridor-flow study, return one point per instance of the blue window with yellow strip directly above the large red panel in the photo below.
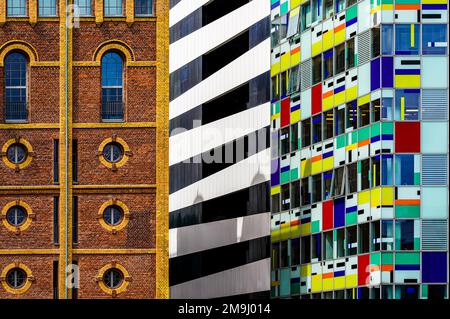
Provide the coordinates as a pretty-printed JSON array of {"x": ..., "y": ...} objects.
[{"x": 407, "y": 103}]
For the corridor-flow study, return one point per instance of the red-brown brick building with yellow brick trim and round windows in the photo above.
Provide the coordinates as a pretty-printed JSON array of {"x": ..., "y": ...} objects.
[{"x": 83, "y": 134}]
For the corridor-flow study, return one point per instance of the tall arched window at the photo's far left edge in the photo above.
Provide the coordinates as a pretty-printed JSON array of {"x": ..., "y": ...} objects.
[{"x": 16, "y": 87}]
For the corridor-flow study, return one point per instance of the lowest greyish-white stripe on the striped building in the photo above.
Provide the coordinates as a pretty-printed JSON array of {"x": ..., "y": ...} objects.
[{"x": 249, "y": 278}]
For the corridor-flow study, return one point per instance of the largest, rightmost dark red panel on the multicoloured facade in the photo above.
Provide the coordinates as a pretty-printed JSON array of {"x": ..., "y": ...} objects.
[{"x": 407, "y": 137}]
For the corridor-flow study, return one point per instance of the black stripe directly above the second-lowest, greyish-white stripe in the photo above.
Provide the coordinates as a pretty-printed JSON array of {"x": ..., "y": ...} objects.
[{"x": 245, "y": 202}]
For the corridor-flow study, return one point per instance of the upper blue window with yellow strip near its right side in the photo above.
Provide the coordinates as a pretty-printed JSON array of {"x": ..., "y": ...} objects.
[{"x": 407, "y": 39}]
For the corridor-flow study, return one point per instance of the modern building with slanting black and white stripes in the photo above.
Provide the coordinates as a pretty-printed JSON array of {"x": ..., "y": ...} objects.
[{"x": 219, "y": 148}]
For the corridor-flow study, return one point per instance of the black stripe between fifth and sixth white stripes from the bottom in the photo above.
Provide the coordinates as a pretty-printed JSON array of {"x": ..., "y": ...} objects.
[{"x": 193, "y": 72}]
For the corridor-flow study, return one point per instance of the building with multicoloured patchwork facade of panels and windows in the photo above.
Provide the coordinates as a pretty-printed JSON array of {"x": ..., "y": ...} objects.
[{"x": 359, "y": 186}]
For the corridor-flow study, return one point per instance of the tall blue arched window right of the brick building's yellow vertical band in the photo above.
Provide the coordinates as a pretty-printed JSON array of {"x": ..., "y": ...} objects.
[{"x": 112, "y": 87}]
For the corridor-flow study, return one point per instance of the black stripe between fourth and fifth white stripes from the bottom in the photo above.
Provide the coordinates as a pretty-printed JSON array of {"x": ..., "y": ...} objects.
[{"x": 253, "y": 93}]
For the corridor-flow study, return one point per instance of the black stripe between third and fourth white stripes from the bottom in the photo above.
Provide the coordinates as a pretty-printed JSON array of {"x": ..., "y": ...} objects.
[{"x": 194, "y": 169}]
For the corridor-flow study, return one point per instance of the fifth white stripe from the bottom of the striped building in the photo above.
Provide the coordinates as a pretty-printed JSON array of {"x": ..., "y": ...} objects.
[{"x": 249, "y": 65}]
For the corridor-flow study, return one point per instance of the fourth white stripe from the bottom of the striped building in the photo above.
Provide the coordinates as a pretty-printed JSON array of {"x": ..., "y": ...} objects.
[{"x": 203, "y": 138}]
